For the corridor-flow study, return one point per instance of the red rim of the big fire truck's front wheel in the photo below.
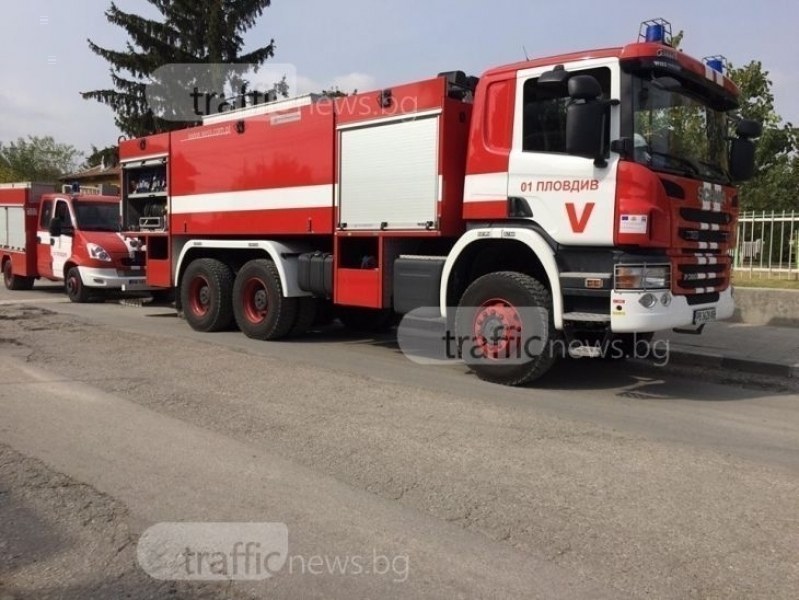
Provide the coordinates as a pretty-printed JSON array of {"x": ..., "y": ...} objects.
[{"x": 497, "y": 329}]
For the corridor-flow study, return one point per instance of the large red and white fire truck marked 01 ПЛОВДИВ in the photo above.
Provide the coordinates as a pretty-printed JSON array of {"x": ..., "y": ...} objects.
[{"x": 596, "y": 187}]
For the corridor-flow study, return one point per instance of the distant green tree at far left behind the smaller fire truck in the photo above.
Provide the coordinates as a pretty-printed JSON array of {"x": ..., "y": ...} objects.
[{"x": 36, "y": 159}]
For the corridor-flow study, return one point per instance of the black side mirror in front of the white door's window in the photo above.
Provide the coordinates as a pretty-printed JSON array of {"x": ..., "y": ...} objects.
[{"x": 585, "y": 119}]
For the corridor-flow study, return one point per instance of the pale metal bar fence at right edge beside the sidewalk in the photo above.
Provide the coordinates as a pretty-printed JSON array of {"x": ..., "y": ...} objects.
[{"x": 768, "y": 245}]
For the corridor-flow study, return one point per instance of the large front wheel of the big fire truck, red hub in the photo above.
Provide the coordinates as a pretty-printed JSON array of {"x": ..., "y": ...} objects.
[{"x": 495, "y": 304}]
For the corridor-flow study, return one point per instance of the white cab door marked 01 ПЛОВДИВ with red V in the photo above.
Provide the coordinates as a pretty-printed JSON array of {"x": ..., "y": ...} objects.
[{"x": 571, "y": 198}]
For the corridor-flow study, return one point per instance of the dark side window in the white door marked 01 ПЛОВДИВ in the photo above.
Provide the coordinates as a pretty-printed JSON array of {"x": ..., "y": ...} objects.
[{"x": 544, "y": 118}]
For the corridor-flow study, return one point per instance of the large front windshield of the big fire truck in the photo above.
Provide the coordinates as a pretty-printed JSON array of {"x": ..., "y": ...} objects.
[{"x": 678, "y": 132}]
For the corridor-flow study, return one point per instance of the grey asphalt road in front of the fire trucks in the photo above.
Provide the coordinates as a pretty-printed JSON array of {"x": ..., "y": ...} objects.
[{"x": 603, "y": 481}]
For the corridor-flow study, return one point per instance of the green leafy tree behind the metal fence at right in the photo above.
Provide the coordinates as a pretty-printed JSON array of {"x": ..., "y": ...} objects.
[{"x": 776, "y": 182}]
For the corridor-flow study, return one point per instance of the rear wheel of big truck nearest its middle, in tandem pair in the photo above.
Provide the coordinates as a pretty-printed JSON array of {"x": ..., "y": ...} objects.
[{"x": 261, "y": 310}]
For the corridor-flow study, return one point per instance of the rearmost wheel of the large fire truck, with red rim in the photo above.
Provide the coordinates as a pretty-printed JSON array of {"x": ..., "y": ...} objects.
[{"x": 206, "y": 295}]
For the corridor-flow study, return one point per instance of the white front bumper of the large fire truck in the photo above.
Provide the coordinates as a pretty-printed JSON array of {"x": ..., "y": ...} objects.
[{"x": 629, "y": 315}]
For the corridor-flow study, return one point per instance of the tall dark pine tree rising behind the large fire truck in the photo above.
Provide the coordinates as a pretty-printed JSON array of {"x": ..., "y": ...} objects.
[{"x": 190, "y": 31}]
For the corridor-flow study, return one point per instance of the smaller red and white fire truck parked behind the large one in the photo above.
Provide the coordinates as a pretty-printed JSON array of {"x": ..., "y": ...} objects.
[{"x": 71, "y": 237}]
